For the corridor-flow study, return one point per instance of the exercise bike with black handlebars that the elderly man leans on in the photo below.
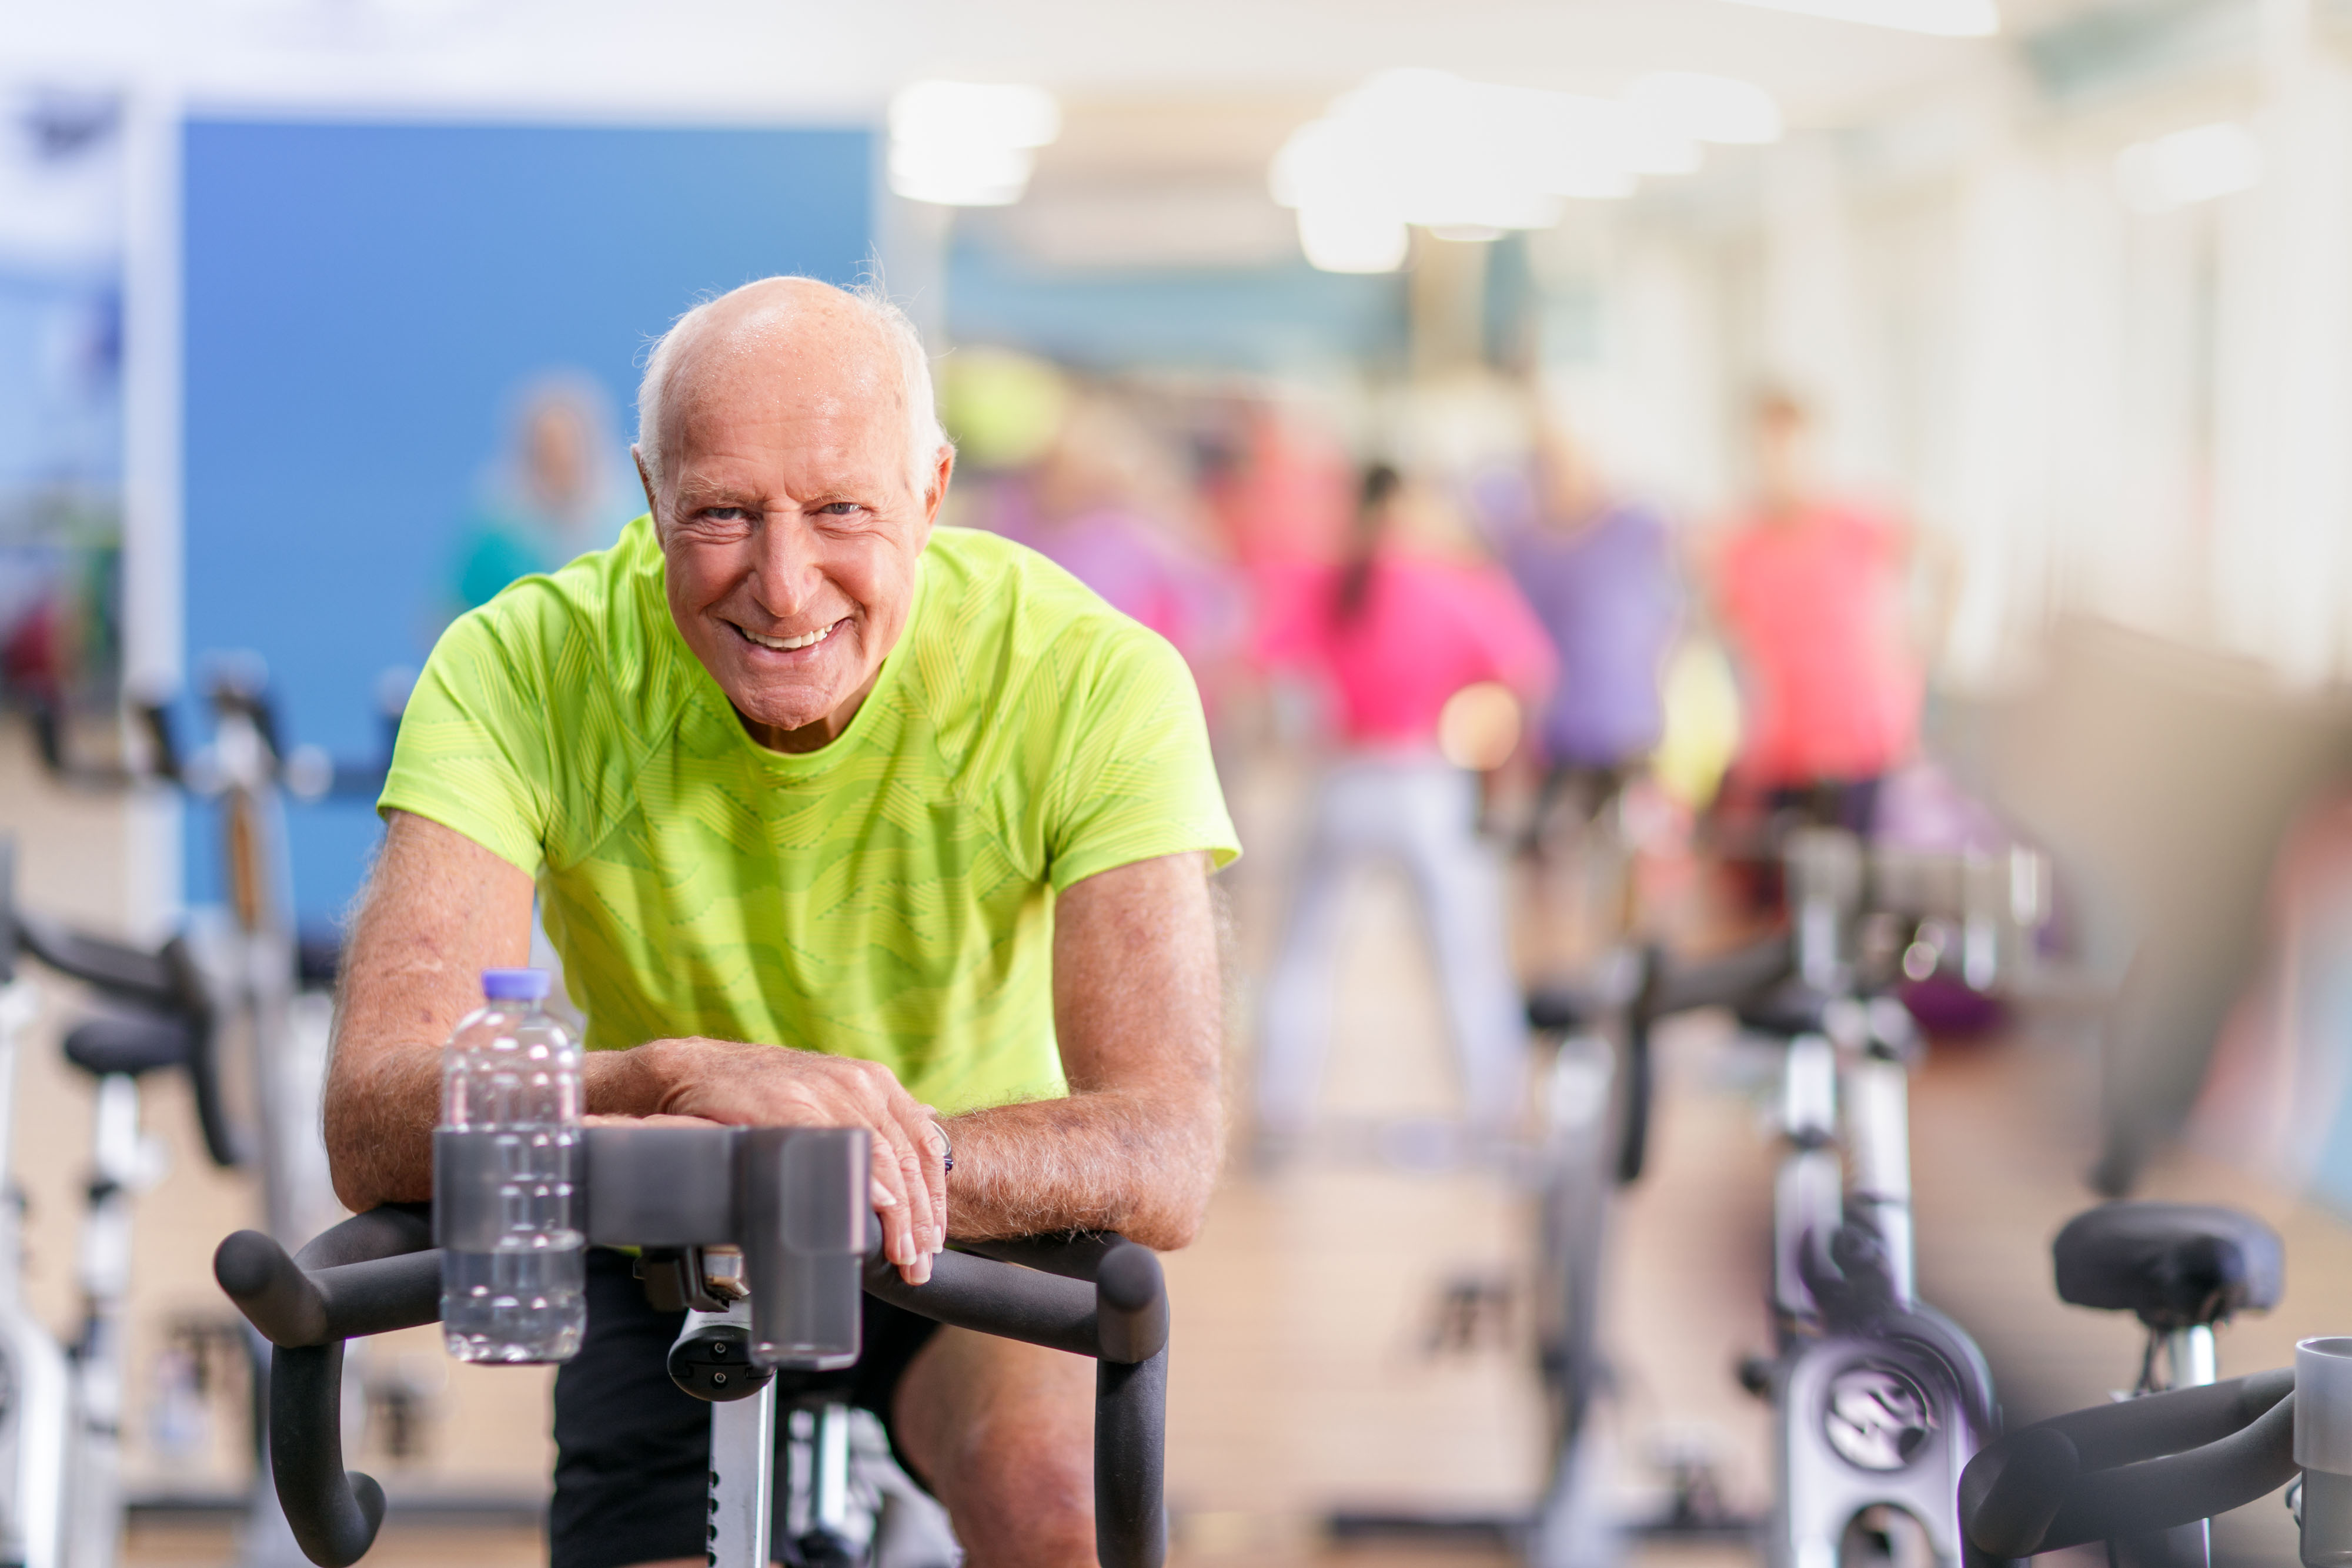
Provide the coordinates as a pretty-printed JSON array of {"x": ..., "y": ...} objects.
[{"x": 768, "y": 1226}]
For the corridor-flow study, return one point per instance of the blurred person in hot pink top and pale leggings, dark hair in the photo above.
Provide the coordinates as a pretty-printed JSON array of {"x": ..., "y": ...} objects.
[{"x": 1410, "y": 619}]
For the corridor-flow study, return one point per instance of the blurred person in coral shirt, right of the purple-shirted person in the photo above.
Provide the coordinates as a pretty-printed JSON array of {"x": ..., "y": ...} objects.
[{"x": 1812, "y": 598}]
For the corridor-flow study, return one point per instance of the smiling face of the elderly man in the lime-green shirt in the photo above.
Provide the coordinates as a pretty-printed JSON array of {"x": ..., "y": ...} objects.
[{"x": 789, "y": 525}]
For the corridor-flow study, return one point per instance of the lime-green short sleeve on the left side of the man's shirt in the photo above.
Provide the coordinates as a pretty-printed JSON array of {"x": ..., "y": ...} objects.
[{"x": 474, "y": 744}]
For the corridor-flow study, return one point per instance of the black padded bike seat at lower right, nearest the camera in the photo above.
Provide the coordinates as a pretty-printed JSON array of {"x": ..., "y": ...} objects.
[{"x": 2177, "y": 1266}]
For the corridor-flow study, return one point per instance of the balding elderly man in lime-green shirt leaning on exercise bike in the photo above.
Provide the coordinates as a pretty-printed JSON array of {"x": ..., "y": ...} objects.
[{"x": 834, "y": 819}]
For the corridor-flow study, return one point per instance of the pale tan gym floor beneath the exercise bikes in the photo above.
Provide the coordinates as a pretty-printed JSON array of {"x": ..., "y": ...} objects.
[{"x": 1316, "y": 1362}]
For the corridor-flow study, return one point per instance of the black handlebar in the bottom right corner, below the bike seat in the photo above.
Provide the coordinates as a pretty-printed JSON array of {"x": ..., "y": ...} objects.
[{"x": 2132, "y": 1468}]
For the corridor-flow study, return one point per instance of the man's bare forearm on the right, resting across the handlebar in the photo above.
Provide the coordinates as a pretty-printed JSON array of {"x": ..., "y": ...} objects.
[{"x": 1109, "y": 1160}]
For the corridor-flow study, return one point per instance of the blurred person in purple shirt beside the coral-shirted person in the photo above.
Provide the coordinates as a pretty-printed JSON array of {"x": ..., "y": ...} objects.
[{"x": 1601, "y": 577}]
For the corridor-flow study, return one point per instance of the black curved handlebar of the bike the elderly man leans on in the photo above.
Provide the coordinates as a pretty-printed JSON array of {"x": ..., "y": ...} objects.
[{"x": 1088, "y": 1294}]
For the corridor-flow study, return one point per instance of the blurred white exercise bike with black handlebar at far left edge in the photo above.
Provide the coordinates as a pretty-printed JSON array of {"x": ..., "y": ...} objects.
[{"x": 62, "y": 1416}]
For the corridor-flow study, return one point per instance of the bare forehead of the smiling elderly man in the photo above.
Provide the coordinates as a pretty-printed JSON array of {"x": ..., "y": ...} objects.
[{"x": 808, "y": 380}]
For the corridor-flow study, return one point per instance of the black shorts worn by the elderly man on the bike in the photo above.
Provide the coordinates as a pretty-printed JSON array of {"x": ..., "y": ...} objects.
[{"x": 634, "y": 1449}]
